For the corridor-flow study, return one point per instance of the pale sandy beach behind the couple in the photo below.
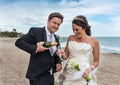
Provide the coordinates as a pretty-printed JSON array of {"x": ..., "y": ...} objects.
[{"x": 14, "y": 63}]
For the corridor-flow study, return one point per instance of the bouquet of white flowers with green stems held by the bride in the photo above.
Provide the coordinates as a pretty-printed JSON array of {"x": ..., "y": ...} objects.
[{"x": 73, "y": 64}]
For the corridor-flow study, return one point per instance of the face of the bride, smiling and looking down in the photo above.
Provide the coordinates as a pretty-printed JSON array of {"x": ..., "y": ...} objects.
[{"x": 77, "y": 30}]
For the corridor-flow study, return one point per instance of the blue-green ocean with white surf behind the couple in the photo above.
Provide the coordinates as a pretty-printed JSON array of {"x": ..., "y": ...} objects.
[{"x": 107, "y": 44}]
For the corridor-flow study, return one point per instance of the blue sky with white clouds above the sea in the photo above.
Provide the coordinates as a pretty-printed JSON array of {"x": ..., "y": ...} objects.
[{"x": 103, "y": 15}]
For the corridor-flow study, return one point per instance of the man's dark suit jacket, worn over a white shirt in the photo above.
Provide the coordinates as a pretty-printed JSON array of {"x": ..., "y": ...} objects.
[{"x": 41, "y": 62}]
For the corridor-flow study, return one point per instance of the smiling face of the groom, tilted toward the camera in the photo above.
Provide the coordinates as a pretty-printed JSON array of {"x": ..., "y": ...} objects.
[{"x": 54, "y": 24}]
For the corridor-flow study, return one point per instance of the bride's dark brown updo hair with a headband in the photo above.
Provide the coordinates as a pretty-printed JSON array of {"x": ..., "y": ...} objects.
[{"x": 82, "y": 21}]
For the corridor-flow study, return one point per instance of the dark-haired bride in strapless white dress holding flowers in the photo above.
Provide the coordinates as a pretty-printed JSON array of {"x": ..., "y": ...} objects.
[{"x": 84, "y": 49}]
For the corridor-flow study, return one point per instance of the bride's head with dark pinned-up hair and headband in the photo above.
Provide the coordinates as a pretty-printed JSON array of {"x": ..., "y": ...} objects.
[{"x": 80, "y": 26}]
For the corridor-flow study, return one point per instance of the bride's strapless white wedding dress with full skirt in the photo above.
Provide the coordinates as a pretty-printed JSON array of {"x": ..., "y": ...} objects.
[{"x": 82, "y": 53}]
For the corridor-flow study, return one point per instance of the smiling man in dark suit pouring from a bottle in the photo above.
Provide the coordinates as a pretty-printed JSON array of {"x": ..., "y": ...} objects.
[{"x": 42, "y": 64}]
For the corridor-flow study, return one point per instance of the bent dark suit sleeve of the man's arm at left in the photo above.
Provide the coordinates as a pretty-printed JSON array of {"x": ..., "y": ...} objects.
[{"x": 27, "y": 42}]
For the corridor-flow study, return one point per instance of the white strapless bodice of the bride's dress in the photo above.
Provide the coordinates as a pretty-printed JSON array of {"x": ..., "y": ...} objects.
[{"x": 82, "y": 52}]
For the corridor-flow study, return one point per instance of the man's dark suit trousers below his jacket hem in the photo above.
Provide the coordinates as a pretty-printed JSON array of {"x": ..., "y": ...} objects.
[{"x": 45, "y": 79}]
